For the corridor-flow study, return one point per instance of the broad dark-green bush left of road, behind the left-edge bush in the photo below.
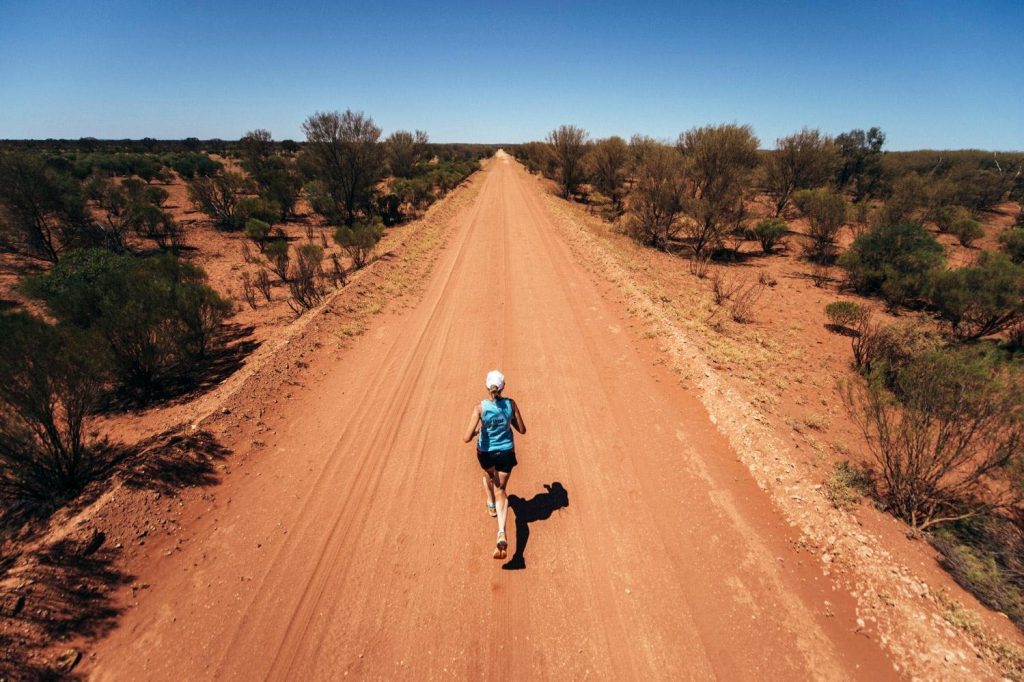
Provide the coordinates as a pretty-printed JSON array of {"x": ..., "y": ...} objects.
[{"x": 156, "y": 314}]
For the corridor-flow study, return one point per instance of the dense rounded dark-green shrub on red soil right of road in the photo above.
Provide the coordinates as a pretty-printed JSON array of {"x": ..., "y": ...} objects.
[{"x": 893, "y": 261}]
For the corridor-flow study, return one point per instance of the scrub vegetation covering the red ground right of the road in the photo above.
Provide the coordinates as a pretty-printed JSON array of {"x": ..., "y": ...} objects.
[{"x": 937, "y": 394}]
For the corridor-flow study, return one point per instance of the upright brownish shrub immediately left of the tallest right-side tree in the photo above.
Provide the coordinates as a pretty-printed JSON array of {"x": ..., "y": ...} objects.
[{"x": 656, "y": 202}]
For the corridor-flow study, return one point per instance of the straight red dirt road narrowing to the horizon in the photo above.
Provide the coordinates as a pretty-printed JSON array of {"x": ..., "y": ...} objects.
[{"x": 356, "y": 543}]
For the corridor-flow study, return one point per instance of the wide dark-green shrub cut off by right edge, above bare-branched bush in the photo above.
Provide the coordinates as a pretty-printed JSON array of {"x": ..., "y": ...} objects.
[{"x": 980, "y": 301}]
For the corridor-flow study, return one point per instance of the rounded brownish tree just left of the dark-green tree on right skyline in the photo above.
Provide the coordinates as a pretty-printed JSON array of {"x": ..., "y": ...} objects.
[{"x": 802, "y": 161}]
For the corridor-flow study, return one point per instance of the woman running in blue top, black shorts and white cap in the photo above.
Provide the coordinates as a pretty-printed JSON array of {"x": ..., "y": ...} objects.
[{"x": 494, "y": 421}]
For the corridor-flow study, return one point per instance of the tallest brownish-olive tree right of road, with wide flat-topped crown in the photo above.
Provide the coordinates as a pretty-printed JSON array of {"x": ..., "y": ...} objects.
[{"x": 717, "y": 165}]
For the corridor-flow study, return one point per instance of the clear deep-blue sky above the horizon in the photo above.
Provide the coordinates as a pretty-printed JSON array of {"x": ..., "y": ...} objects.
[{"x": 938, "y": 74}]
